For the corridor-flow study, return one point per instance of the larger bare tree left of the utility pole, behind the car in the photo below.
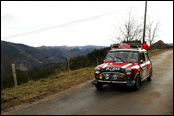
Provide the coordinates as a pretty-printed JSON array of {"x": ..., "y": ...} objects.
[{"x": 130, "y": 31}]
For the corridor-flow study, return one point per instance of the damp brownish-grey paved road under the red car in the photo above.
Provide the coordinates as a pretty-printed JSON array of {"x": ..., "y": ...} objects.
[{"x": 153, "y": 98}]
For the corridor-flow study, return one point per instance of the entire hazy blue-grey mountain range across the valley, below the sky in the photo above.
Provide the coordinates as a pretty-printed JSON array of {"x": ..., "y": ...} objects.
[{"x": 26, "y": 57}]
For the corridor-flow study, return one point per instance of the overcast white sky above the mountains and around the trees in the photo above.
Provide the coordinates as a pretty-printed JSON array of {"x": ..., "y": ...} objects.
[{"x": 78, "y": 23}]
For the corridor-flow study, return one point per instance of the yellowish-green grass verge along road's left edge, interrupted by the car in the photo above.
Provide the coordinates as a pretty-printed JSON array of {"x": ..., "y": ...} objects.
[{"x": 34, "y": 90}]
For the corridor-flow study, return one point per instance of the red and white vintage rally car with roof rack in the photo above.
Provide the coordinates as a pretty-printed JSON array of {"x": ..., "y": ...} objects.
[{"x": 124, "y": 65}]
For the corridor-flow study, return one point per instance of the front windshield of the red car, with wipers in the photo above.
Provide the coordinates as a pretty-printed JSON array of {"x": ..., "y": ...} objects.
[{"x": 120, "y": 56}]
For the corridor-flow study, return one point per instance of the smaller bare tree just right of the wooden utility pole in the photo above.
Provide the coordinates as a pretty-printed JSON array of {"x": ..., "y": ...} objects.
[{"x": 152, "y": 31}]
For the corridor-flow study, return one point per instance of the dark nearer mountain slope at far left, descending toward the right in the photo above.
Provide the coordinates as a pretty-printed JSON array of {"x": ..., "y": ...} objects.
[{"x": 25, "y": 57}]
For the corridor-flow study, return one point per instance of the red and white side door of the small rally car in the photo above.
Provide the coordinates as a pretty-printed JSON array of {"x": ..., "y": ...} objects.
[{"x": 143, "y": 71}]
